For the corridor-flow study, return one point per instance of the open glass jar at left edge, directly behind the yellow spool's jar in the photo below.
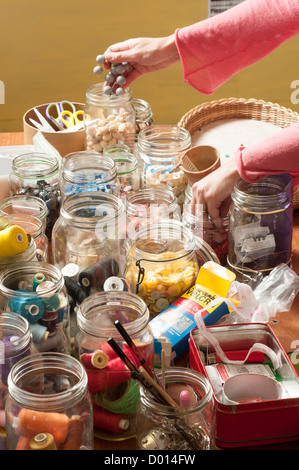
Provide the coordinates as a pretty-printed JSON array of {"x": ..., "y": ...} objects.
[{"x": 26, "y": 204}]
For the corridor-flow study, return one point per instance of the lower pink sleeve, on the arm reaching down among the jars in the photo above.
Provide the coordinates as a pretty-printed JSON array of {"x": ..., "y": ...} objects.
[{"x": 276, "y": 155}]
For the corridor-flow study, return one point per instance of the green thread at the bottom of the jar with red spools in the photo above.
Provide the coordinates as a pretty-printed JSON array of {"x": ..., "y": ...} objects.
[{"x": 126, "y": 403}]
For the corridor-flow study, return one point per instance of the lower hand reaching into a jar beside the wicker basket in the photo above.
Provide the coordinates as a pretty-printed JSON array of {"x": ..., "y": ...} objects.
[{"x": 212, "y": 193}]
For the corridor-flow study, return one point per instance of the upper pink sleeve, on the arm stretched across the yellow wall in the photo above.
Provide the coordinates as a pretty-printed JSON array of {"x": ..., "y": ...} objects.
[{"x": 215, "y": 49}]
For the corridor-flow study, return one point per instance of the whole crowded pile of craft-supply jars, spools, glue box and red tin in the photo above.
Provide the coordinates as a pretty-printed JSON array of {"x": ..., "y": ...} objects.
[{"x": 119, "y": 282}]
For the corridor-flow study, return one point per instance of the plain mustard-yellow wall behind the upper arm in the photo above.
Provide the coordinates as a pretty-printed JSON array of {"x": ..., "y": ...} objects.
[{"x": 48, "y": 51}]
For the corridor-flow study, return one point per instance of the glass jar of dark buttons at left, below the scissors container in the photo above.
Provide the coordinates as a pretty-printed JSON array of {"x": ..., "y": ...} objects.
[{"x": 37, "y": 174}]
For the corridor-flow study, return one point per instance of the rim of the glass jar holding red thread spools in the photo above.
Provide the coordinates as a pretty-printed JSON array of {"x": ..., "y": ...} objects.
[{"x": 104, "y": 301}]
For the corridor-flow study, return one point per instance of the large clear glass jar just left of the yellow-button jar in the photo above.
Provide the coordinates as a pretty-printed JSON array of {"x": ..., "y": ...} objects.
[{"x": 91, "y": 233}]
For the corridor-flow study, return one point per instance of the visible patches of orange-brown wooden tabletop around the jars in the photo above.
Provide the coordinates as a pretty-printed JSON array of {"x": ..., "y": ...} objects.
[{"x": 285, "y": 325}]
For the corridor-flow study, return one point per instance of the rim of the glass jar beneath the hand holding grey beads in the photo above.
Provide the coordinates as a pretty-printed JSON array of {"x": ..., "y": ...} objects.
[{"x": 95, "y": 95}]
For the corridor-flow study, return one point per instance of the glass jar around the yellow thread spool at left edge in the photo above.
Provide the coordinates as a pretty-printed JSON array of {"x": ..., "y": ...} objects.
[{"x": 34, "y": 228}]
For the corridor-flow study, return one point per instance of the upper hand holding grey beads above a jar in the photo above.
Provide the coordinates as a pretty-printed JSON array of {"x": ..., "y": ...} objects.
[{"x": 144, "y": 55}]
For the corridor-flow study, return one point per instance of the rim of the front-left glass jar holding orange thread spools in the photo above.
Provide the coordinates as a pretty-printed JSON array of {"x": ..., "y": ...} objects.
[{"x": 53, "y": 361}]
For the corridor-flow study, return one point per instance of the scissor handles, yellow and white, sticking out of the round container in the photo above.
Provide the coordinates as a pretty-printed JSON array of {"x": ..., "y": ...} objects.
[{"x": 64, "y": 114}]
